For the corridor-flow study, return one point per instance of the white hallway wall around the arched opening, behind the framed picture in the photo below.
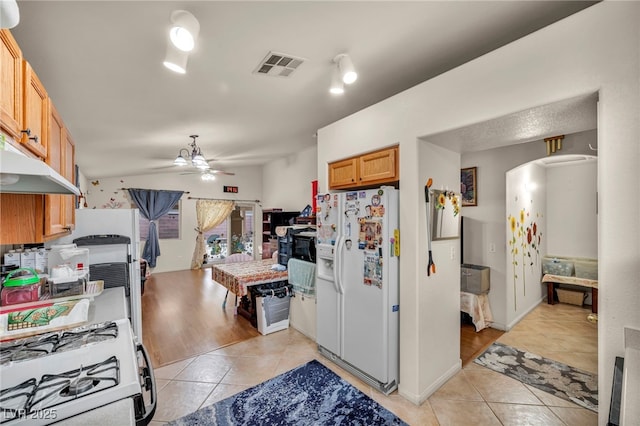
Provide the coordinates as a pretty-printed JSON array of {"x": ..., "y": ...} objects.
[{"x": 484, "y": 224}]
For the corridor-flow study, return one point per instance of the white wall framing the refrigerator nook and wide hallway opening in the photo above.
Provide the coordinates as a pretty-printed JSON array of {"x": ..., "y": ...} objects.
[{"x": 515, "y": 78}]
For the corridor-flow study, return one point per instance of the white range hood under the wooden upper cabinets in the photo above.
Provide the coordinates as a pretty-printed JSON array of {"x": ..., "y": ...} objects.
[{"x": 20, "y": 174}]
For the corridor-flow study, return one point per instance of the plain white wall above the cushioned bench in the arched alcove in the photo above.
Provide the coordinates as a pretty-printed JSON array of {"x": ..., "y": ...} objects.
[{"x": 572, "y": 221}]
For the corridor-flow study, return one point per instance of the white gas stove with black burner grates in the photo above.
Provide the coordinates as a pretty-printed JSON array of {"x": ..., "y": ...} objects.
[{"x": 56, "y": 376}]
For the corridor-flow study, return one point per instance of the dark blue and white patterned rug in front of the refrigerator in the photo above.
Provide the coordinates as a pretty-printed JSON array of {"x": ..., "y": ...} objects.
[{"x": 309, "y": 394}]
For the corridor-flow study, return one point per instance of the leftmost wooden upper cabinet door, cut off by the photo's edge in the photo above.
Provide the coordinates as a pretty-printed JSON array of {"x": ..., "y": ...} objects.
[{"x": 10, "y": 85}]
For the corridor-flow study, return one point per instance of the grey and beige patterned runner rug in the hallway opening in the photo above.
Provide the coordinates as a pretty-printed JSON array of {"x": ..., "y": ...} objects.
[{"x": 561, "y": 380}]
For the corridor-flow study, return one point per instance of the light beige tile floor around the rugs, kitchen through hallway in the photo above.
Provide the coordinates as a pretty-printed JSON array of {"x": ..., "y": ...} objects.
[{"x": 474, "y": 396}]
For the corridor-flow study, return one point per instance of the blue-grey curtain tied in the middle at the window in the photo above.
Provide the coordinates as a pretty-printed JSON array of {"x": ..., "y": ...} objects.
[{"x": 153, "y": 205}]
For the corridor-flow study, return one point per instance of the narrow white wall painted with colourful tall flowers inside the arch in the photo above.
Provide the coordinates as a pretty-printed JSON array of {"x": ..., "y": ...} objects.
[{"x": 526, "y": 207}]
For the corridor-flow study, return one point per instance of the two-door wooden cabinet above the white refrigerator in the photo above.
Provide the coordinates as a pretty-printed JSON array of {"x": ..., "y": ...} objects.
[{"x": 366, "y": 170}]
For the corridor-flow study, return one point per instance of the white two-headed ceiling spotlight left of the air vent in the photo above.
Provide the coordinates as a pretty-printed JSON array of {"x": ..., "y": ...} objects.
[{"x": 182, "y": 39}]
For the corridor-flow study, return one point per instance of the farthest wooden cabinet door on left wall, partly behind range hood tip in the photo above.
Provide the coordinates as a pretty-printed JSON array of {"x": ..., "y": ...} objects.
[{"x": 54, "y": 215}]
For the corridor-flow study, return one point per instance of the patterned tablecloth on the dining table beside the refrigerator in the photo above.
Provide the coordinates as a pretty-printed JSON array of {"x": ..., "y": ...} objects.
[{"x": 236, "y": 277}]
